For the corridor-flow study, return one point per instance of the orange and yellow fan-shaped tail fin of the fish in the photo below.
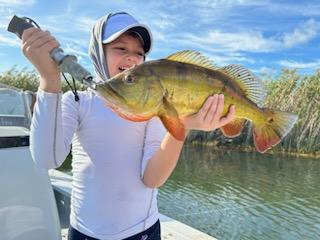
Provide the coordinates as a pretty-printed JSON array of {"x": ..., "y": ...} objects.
[{"x": 276, "y": 126}]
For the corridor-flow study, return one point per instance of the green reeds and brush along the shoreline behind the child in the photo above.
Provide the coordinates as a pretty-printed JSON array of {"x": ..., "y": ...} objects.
[{"x": 289, "y": 91}]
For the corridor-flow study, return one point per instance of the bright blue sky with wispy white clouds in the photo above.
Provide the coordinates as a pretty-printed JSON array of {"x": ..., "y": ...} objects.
[{"x": 264, "y": 36}]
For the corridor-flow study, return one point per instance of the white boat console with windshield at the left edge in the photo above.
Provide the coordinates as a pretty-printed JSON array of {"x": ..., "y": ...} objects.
[{"x": 27, "y": 206}]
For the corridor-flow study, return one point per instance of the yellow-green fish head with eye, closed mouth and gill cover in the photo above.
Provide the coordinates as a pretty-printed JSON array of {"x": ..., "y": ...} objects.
[{"x": 134, "y": 91}]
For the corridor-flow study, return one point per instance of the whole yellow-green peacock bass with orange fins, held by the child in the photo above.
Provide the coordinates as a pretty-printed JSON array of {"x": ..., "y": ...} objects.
[{"x": 178, "y": 85}]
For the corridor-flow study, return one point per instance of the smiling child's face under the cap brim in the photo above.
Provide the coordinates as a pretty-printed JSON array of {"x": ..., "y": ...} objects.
[{"x": 123, "y": 53}]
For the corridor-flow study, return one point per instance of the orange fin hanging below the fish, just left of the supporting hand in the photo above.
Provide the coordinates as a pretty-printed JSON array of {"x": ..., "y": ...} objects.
[{"x": 171, "y": 121}]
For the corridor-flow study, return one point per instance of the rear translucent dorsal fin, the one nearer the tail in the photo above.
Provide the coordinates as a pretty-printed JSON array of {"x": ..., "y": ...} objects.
[{"x": 252, "y": 86}]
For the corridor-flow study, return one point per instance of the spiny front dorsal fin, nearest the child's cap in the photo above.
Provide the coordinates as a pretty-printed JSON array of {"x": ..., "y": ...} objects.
[{"x": 192, "y": 57}]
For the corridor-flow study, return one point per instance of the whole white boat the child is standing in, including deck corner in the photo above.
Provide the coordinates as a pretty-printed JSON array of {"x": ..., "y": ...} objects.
[{"x": 35, "y": 202}]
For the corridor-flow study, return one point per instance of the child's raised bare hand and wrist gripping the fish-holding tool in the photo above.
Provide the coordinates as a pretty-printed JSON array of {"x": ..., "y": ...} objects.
[{"x": 36, "y": 46}]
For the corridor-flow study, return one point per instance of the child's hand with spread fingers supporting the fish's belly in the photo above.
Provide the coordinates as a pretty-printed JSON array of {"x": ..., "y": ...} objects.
[{"x": 209, "y": 117}]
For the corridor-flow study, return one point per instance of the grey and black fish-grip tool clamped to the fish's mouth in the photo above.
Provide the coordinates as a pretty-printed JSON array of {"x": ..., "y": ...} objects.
[{"x": 67, "y": 63}]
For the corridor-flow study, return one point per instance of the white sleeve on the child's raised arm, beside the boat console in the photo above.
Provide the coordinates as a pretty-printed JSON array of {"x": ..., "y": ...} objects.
[{"x": 53, "y": 124}]
